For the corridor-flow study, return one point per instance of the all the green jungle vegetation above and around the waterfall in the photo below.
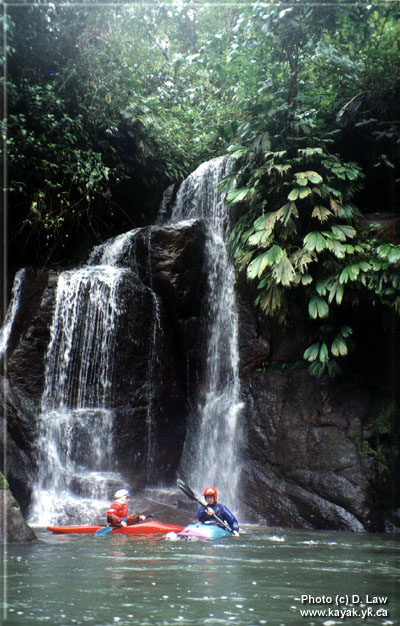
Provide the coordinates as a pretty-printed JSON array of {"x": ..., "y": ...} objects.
[{"x": 109, "y": 104}]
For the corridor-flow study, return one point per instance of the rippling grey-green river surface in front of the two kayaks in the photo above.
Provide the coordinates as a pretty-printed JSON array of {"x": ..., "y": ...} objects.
[{"x": 259, "y": 578}]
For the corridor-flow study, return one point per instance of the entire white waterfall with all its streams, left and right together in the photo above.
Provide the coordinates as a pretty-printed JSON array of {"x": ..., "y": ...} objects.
[{"x": 77, "y": 420}]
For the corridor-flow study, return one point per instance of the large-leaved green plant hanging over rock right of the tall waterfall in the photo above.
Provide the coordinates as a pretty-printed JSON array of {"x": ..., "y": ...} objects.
[{"x": 299, "y": 238}]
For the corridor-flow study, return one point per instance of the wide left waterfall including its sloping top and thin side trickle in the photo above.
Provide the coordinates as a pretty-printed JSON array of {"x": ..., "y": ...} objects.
[{"x": 75, "y": 448}]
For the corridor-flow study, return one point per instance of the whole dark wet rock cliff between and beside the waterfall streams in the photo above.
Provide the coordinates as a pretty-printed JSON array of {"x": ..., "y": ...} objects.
[{"x": 305, "y": 462}]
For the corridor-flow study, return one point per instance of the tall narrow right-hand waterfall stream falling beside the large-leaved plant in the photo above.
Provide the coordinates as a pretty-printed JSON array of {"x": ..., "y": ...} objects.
[{"x": 211, "y": 453}]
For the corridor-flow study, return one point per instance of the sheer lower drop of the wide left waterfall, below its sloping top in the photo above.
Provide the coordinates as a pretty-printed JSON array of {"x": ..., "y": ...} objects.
[{"x": 75, "y": 425}]
